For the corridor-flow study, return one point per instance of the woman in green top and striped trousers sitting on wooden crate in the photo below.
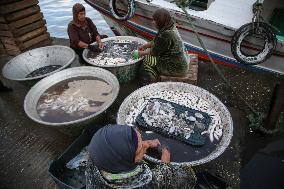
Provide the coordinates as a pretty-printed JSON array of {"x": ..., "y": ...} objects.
[{"x": 167, "y": 52}]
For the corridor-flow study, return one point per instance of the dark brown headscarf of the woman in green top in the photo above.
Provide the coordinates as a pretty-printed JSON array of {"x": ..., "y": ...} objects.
[{"x": 163, "y": 19}]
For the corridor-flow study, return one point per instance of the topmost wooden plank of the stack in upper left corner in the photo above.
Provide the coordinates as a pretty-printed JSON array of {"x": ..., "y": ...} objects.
[{"x": 12, "y": 7}]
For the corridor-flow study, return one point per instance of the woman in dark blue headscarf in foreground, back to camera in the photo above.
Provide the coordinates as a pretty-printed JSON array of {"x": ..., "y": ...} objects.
[{"x": 116, "y": 161}]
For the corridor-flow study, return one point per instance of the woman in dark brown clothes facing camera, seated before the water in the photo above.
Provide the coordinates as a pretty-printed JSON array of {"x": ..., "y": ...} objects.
[{"x": 82, "y": 32}]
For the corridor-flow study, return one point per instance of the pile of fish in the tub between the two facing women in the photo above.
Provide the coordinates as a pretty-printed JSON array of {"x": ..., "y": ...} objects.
[{"x": 115, "y": 52}]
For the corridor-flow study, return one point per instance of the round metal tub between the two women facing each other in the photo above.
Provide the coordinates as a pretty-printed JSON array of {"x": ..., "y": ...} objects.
[{"x": 124, "y": 72}]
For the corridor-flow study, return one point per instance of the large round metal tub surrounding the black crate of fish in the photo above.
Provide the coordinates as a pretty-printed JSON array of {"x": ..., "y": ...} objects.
[{"x": 186, "y": 95}]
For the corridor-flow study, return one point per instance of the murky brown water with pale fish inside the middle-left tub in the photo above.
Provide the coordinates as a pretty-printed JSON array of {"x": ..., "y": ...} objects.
[{"x": 73, "y": 99}]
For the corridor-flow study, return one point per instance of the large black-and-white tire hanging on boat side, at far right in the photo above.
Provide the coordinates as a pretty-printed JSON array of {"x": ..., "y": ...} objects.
[{"x": 263, "y": 29}]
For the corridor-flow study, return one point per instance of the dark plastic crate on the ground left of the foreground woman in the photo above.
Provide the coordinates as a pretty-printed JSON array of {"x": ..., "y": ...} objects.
[{"x": 71, "y": 178}]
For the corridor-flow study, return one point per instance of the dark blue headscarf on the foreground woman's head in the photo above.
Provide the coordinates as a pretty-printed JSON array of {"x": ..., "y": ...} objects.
[{"x": 113, "y": 148}]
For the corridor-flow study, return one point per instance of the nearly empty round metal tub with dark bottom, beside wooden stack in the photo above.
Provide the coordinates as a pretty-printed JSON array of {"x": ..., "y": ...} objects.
[{"x": 20, "y": 66}]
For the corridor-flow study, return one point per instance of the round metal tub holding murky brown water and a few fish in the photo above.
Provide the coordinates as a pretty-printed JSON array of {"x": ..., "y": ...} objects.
[{"x": 71, "y": 127}]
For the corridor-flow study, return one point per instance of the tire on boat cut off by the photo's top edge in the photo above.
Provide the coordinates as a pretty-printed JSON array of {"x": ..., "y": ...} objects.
[{"x": 130, "y": 10}]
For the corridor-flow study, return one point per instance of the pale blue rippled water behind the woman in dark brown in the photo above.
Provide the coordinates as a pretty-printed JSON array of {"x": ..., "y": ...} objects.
[{"x": 58, "y": 13}]
